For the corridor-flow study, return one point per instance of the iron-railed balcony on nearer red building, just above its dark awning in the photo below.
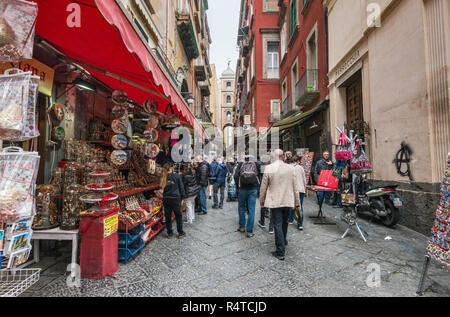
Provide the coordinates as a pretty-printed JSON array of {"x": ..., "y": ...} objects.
[{"x": 307, "y": 88}]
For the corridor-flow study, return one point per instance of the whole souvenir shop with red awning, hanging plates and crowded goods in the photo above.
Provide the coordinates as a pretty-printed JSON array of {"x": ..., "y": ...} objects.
[{"x": 85, "y": 139}]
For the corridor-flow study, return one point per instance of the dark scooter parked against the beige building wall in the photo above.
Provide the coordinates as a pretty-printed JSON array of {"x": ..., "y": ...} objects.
[{"x": 382, "y": 201}]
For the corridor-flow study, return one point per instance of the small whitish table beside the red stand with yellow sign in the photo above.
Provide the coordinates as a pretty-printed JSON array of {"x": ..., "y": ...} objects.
[{"x": 53, "y": 234}]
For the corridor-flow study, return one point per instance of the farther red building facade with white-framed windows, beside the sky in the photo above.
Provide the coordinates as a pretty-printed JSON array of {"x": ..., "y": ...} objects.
[{"x": 257, "y": 71}]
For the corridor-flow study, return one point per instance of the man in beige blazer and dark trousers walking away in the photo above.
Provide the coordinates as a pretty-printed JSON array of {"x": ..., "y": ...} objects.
[{"x": 279, "y": 192}]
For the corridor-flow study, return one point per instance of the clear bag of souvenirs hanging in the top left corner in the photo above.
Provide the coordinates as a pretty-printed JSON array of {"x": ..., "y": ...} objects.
[{"x": 17, "y": 24}]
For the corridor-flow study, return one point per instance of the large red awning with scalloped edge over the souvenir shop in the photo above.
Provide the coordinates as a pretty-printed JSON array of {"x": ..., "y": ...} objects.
[{"x": 109, "y": 44}]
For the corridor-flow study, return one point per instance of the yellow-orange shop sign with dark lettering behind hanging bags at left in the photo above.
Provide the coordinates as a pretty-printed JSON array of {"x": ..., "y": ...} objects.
[{"x": 38, "y": 69}]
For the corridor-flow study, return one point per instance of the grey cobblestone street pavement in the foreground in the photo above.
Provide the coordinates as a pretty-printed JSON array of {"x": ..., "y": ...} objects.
[{"x": 215, "y": 260}]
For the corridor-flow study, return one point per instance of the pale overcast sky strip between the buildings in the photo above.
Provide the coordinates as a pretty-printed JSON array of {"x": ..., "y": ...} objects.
[{"x": 223, "y": 19}]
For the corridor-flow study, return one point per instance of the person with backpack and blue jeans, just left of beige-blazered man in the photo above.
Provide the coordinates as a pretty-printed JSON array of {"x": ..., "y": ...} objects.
[{"x": 247, "y": 179}]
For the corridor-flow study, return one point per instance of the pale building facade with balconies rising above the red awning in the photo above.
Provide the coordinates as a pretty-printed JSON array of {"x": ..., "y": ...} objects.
[{"x": 178, "y": 35}]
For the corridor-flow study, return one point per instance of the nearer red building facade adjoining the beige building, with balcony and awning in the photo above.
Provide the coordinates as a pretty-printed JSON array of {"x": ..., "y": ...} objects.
[{"x": 304, "y": 113}]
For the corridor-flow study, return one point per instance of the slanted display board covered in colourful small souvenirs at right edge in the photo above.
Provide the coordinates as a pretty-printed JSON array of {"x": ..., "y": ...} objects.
[{"x": 438, "y": 246}]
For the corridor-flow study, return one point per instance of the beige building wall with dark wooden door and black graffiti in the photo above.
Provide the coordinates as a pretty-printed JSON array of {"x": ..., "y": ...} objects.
[{"x": 389, "y": 81}]
